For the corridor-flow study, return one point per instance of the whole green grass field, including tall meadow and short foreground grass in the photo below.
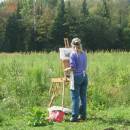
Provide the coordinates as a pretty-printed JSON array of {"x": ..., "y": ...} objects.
[{"x": 25, "y": 82}]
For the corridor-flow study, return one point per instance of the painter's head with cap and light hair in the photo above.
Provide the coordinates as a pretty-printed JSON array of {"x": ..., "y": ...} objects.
[{"x": 76, "y": 44}]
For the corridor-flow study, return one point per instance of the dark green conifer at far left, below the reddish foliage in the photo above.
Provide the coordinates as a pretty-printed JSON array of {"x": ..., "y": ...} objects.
[{"x": 14, "y": 33}]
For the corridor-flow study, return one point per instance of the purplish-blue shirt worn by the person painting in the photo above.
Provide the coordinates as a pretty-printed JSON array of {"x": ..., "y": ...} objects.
[{"x": 78, "y": 61}]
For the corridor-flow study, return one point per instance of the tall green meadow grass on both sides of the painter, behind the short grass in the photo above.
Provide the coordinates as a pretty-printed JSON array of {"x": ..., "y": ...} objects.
[{"x": 25, "y": 80}]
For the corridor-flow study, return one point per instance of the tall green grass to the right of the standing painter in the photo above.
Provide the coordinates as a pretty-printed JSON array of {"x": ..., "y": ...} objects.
[{"x": 109, "y": 78}]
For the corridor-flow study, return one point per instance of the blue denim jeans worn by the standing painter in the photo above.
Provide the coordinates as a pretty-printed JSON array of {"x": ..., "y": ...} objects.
[{"x": 79, "y": 96}]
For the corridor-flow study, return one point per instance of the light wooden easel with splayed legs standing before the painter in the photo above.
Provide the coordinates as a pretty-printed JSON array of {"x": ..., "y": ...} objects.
[{"x": 58, "y": 84}]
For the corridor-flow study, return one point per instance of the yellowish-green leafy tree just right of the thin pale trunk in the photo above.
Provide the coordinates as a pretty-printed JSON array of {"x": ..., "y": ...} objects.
[{"x": 43, "y": 36}]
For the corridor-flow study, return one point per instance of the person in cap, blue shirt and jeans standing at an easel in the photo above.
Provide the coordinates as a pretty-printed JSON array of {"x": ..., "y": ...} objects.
[{"x": 78, "y": 64}]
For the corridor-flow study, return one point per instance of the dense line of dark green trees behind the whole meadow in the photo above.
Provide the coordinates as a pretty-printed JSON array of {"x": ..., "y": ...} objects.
[{"x": 42, "y": 25}]
